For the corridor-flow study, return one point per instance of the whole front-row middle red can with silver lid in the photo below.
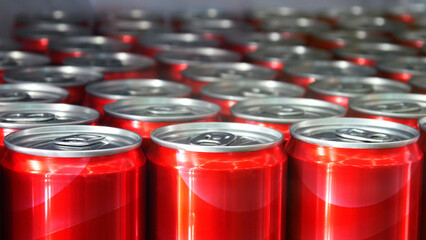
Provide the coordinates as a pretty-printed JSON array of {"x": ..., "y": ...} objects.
[{"x": 216, "y": 181}]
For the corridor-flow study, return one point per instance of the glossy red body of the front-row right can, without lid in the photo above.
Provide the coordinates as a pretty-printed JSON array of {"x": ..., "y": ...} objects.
[{"x": 353, "y": 194}]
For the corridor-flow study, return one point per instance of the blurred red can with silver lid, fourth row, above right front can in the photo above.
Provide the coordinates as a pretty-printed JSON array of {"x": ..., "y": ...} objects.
[{"x": 304, "y": 73}]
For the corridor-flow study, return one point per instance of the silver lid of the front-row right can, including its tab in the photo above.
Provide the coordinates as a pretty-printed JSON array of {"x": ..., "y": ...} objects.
[{"x": 355, "y": 133}]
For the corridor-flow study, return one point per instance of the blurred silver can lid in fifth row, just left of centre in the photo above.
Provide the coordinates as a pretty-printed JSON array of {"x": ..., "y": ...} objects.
[{"x": 197, "y": 55}]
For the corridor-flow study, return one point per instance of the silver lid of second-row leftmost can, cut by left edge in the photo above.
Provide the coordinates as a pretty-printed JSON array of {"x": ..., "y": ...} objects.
[{"x": 29, "y": 115}]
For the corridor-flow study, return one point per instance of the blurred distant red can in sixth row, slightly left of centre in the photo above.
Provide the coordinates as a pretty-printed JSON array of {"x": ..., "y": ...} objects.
[{"x": 152, "y": 44}]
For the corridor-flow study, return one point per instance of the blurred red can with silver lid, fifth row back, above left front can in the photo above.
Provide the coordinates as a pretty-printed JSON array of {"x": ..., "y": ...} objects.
[{"x": 116, "y": 65}]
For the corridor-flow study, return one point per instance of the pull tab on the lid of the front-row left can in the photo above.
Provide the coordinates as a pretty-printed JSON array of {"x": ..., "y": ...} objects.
[{"x": 78, "y": 140}]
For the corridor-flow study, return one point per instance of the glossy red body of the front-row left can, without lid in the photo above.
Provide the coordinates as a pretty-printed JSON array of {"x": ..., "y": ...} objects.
[{"x": 48, "y": 198}]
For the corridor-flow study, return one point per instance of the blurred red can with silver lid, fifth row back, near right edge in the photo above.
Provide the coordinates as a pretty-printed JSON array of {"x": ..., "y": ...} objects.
[{"x": 370, "y": 53}]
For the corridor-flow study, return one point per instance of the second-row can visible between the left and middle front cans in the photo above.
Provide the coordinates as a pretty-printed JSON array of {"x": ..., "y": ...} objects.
[{"x": 144, "y": 115}]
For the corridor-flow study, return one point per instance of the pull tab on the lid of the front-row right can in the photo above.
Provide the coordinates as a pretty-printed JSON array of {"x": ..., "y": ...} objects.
[{"x": 361, "y": 135}]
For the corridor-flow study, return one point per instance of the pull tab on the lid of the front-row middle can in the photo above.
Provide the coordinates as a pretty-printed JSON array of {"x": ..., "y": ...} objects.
[{"x": 213, "y": 139}]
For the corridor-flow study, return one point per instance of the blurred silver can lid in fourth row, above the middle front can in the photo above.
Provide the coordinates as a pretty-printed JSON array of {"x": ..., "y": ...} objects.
[{"x": 215, "y": 72}]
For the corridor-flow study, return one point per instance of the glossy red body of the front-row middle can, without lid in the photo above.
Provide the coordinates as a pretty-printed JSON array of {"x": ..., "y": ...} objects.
[{"x": 211, "y": 196}]
